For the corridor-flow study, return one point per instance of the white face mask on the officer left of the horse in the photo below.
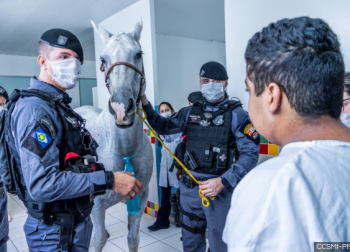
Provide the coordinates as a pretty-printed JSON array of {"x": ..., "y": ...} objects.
[{"x": 66, "y": 72}]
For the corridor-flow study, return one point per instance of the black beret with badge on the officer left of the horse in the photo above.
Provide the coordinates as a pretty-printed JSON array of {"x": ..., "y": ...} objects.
[{"x": 63, "y": 39}]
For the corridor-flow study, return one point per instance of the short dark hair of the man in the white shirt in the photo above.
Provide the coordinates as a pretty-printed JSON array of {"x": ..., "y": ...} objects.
[{"x": 302, "y": 55}]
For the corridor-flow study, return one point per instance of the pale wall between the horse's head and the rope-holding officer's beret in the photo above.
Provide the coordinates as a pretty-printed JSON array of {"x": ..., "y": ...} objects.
[{"x": 179, "y": 61}]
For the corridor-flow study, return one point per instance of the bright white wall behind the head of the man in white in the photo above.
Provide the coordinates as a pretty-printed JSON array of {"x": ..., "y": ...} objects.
[{"x": 244, "y": 18}]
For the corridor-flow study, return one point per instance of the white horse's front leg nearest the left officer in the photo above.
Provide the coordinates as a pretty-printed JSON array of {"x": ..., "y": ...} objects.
[{"x": 98, "y": 216}]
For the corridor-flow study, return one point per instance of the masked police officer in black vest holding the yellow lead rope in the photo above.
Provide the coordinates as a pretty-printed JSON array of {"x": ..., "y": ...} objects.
[{"x": 221, "y": 147}]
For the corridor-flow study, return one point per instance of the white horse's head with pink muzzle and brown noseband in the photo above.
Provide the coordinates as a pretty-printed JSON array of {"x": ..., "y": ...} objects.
[{"x": 124, "y": 81}]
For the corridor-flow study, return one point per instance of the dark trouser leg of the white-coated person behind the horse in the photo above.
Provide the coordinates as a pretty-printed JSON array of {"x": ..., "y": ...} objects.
[{"x": 165, "y": 208}]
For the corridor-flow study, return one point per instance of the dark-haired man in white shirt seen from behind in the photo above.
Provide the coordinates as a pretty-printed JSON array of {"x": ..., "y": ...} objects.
[{"x": 295, "y": 75}]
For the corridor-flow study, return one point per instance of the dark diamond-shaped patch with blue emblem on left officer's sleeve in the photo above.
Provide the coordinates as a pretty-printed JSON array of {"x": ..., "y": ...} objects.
[{"x": 38, "y": 141}]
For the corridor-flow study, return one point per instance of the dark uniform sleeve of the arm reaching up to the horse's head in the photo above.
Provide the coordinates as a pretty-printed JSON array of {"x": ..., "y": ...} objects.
[{"x": 167, "y": 126}]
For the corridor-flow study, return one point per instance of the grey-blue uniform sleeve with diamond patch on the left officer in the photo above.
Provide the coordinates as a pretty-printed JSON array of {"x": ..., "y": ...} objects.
[{"x": 39, "y": 156}]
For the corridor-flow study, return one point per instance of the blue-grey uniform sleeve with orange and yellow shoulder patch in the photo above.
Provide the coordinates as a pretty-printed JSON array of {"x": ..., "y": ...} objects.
[{"x": 248, "y": 145}]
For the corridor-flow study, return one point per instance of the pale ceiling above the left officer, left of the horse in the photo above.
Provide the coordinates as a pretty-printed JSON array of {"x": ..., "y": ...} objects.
[{"x": 23, "y": 22}]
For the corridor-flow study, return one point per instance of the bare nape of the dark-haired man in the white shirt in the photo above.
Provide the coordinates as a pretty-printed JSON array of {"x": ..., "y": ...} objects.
[{"x": 324, "y": 128}]
